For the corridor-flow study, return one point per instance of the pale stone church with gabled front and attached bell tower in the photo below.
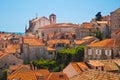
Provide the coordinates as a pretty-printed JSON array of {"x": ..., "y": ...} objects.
[{"x": 36, "y": 23}]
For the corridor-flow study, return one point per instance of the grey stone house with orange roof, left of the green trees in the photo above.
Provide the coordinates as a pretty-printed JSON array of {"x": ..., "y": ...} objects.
[{"x": 33, "y": 48}]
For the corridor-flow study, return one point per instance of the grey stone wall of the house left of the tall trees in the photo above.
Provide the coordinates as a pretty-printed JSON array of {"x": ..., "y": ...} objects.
[{"x": 32, "y": 52}]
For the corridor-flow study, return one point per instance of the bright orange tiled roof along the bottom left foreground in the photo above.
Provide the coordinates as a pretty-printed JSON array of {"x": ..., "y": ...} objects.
[{"x": 28, "y": 74}]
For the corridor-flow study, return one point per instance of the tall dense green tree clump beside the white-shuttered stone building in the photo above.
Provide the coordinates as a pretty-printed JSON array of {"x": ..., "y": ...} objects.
[{"x": 65, "y": 56}]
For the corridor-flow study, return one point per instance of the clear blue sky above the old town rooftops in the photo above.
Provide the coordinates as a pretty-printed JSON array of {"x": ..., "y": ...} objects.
[{"x": 15, "y": 14}]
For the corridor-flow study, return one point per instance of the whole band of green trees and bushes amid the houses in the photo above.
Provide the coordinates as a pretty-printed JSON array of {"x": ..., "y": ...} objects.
[{"x": 61, "y": 60}]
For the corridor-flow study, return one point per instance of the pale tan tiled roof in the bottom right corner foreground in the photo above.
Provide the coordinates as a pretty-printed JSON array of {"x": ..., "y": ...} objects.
[{"x": 96, "y": 75}]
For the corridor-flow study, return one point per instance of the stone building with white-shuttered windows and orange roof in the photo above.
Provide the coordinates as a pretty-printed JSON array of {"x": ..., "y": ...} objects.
[{"x": 105, "y": 49}]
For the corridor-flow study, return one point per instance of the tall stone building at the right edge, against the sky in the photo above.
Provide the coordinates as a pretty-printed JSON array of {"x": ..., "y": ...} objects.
[{"x": 115, "y": 20}]
